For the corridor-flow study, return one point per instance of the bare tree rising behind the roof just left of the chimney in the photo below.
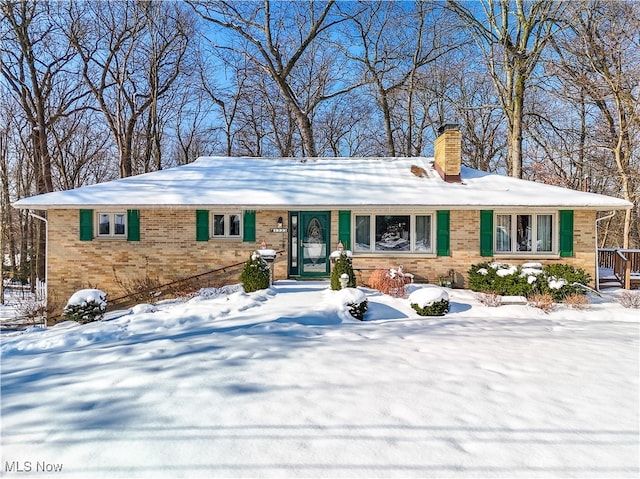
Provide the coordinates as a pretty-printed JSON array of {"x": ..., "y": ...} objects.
[{"x": 392, "y": 42}]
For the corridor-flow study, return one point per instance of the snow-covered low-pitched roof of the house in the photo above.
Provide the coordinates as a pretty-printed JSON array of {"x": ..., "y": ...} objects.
[{"x": 262, "y": 183}]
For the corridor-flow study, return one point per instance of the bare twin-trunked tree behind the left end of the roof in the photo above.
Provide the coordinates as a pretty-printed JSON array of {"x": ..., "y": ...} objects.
[{"x": 132, "y": 52}]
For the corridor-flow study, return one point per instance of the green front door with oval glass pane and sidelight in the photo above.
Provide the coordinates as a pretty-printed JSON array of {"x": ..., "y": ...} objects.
[{"x": 309, "y": 244}]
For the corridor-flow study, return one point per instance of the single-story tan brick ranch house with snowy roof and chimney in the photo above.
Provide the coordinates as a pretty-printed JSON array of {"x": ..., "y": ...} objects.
[{"x": 431, "y": 215}]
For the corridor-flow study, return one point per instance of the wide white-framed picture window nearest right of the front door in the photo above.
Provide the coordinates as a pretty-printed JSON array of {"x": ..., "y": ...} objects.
[{"x": 396, "y": 233}]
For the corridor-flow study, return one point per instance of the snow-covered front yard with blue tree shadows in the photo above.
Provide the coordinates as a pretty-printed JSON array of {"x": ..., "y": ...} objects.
[{"x": 281, "y": 383}]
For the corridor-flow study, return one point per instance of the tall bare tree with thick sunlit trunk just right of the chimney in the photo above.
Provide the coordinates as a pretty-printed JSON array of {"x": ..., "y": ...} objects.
[{"x": 511, "y": 34}]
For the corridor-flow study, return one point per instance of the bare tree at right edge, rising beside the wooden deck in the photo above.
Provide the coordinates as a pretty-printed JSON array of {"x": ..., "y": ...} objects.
[{"x": 600, "y": 54}]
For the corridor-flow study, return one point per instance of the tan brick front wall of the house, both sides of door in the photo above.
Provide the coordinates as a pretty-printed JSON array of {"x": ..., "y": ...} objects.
[{"x": 168, "y": 250}]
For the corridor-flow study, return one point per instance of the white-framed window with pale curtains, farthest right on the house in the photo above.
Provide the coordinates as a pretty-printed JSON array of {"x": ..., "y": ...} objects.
[{"x": 525, "y": 233}]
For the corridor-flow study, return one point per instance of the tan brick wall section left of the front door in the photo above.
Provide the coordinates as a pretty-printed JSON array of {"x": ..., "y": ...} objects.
[{"x": 167, "y": 251}]
